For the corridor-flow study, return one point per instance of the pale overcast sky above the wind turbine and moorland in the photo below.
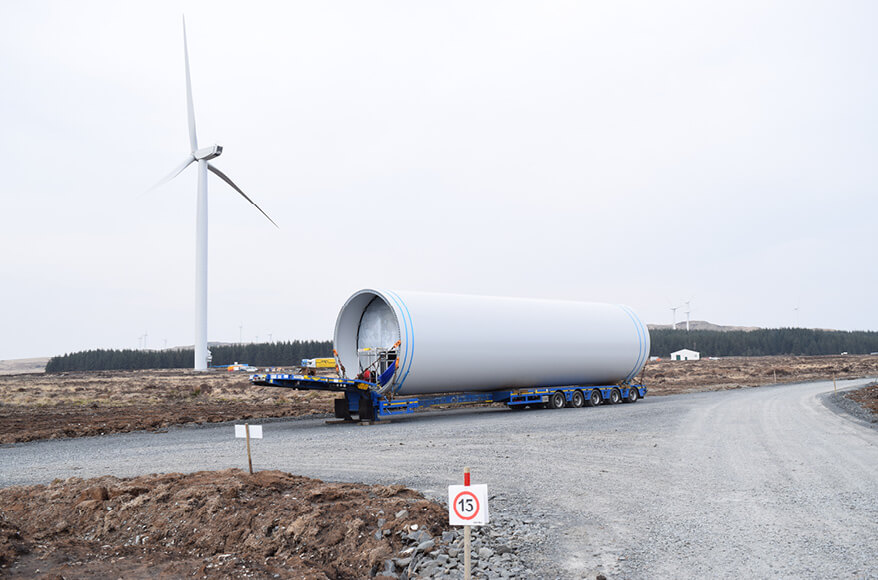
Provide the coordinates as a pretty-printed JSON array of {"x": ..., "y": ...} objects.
[{"x": 644, "y": 153}]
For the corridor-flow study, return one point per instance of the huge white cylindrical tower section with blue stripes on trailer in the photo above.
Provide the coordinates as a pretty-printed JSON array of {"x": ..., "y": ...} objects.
[{"x": 434, "y": 343}]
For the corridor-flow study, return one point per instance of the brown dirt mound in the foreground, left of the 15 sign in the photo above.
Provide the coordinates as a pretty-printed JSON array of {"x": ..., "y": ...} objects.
[{"x": 226, "y": 524}]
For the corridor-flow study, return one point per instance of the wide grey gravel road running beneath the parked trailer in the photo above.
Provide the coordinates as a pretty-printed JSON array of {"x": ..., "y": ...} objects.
[{"x": 761, "y": 482}]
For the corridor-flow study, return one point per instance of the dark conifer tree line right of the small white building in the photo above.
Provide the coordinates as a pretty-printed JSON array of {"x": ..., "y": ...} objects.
[{"x": 764, "y": 342}]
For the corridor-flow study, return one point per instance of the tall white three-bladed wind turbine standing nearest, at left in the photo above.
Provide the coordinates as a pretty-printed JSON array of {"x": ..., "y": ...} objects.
[{"x": 202, "y": 157}]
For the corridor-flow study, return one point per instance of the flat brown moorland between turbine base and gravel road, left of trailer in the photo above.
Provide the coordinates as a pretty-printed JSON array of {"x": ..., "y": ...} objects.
[{"x": 49, "y": 406}]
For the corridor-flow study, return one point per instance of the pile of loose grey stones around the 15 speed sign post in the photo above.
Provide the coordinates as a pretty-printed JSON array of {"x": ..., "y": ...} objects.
[{"x": 496, "y": 550}]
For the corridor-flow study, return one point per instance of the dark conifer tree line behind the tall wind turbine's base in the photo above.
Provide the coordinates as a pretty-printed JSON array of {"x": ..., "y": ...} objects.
[{"x": 288, "y": 353}]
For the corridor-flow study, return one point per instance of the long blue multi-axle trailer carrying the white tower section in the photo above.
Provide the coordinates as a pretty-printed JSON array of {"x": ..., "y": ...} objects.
[{"x": 363, "y": 402}]
